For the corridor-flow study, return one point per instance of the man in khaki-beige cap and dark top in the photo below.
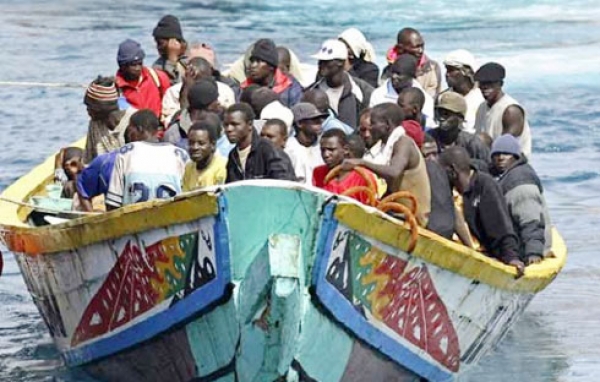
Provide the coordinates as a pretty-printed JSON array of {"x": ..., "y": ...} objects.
[{"x": 450, "y": 113}]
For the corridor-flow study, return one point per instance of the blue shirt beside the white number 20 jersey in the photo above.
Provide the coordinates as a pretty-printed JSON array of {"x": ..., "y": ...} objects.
[{"x": 94, "y": 179}]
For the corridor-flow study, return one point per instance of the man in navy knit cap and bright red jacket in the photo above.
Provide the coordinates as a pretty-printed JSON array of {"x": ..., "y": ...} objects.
[{"x": 142, "y": 87}]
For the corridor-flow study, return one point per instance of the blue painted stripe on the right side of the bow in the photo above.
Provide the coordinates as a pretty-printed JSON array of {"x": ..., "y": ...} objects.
[{"x": 348, "y": 316}]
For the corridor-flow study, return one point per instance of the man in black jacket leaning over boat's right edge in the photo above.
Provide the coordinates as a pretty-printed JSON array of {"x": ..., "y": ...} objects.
[{"x": 484, "y": 207}]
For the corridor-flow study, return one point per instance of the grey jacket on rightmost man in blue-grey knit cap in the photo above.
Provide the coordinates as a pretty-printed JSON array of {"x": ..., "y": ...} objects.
[{"x": 523, "y": 192}]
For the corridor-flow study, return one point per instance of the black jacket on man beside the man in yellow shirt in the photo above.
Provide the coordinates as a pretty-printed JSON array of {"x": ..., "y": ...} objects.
[{"x": 264, "y": 162}]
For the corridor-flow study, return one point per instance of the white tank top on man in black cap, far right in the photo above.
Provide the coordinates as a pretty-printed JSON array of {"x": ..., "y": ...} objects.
[{"x": 489, "y": 120}]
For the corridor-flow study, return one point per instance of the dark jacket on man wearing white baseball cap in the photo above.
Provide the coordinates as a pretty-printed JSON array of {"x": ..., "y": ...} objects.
[{"x": 350, "y": 106}]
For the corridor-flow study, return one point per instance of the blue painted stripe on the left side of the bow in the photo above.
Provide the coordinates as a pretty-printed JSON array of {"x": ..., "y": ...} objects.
[{"x": 183, "y": 310}]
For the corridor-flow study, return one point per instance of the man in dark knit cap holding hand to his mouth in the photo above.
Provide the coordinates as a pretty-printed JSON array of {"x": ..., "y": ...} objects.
[{"x": 171, "y": 48}]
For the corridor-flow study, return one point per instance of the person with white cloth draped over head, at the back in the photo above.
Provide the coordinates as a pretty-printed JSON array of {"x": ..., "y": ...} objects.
[{"x": 361, "y": 56}]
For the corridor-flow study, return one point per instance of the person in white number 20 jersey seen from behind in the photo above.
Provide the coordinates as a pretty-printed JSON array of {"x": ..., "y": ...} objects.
[{"x": 145, "y": 169}]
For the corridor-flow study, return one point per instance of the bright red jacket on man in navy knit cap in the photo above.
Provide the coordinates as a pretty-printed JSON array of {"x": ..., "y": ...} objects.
[{"x": 144, "y": 93}]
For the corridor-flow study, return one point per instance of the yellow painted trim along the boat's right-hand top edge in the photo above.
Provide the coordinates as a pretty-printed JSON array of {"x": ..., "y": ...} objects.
[{"x": 452, "y": 256}]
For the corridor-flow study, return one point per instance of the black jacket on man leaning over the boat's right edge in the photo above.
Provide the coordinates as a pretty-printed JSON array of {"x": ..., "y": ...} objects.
[{"x": 487, "y": 215}]
